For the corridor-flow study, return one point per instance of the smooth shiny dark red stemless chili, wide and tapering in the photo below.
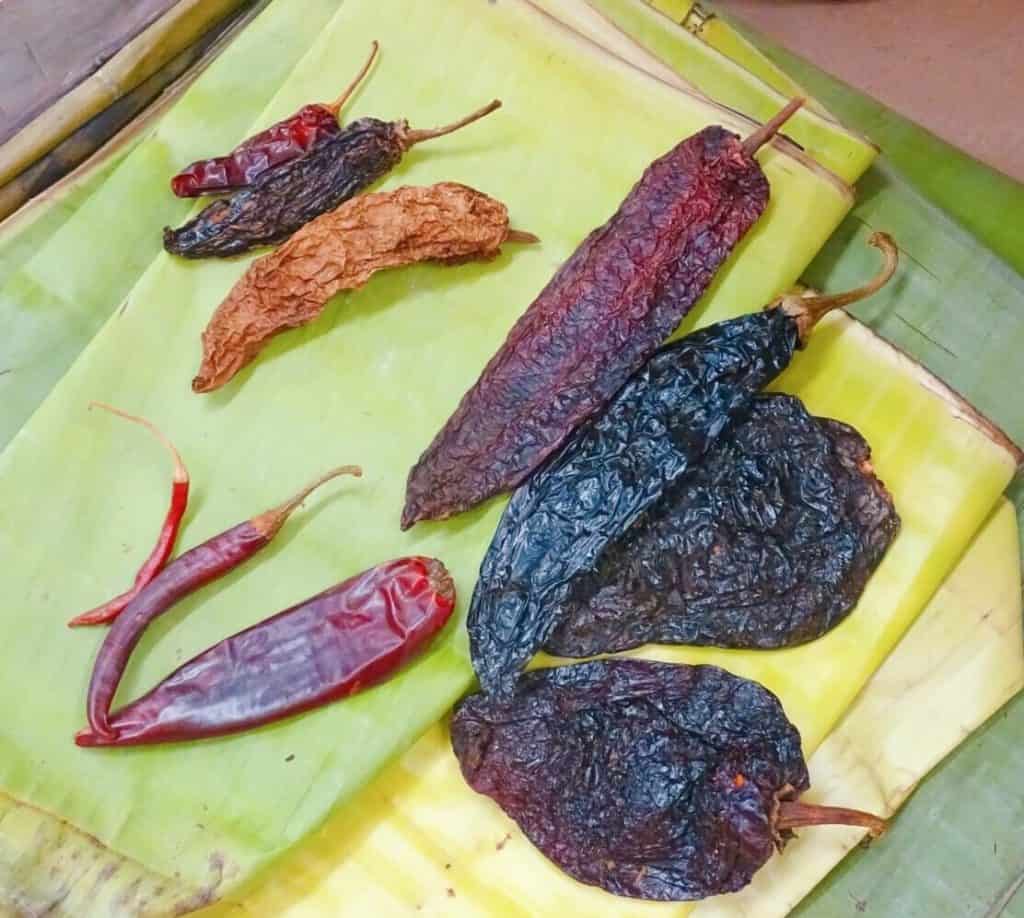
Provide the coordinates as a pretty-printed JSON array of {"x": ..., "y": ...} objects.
[{"x": 342, "y": 642}]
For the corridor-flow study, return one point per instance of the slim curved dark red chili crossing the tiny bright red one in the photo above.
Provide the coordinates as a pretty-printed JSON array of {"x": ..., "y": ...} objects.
[{"x": 184, "y": 576}]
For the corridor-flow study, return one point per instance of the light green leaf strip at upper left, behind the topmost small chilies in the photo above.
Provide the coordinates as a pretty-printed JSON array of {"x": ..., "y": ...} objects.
[{"x": 57, "y": 301}]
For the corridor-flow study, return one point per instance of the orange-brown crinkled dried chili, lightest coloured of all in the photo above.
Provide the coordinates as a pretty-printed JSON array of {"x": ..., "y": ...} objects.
[{"x": 342, "y": 251}]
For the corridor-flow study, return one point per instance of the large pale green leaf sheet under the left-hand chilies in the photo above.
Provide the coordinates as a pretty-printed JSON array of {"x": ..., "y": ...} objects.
[{"x": 370, "y": 383}]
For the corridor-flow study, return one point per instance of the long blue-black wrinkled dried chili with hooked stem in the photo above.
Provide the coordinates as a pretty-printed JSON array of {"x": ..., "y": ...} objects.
[{"x": 613, "y": 470}]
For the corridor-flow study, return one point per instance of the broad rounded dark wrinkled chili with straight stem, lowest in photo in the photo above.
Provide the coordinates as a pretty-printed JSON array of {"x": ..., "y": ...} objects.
[{"x": 649, "y": 780}]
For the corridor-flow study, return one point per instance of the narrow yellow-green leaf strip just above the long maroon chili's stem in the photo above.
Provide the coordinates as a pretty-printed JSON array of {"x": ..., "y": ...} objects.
[{"x": 837, "y": 148}]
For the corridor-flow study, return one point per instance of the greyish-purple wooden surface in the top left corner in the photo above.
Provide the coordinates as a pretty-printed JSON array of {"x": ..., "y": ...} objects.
[{"x": 48, "y": 48}]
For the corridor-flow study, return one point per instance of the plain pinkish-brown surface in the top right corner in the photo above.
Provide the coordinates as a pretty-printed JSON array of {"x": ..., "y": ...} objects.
[{"x": 956, "y": 67}]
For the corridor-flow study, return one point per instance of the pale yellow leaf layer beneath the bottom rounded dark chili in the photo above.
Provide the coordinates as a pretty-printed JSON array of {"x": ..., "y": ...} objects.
[{"x": 420, "y": 842}]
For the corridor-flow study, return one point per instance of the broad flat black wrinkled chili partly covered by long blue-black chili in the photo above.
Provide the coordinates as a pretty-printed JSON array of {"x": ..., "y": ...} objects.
[{"x": 767, "y": 544}]
